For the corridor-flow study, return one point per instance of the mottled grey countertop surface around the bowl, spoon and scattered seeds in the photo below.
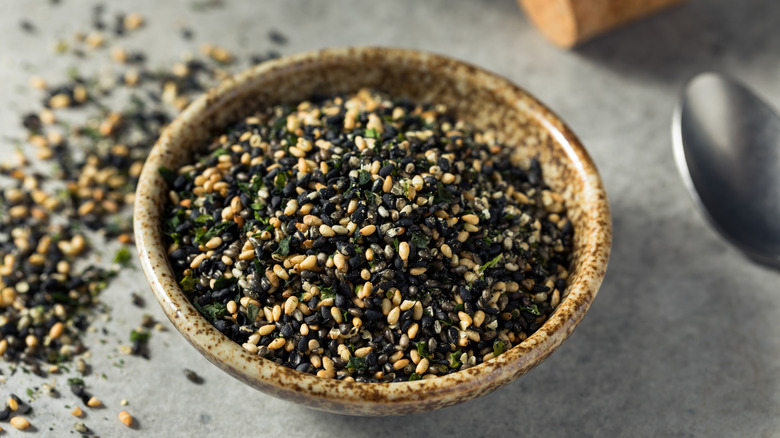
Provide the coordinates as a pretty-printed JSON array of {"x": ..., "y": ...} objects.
[{"x": 682, "y": 339}]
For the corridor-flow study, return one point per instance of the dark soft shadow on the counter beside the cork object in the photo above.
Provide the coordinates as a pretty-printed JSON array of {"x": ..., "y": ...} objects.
[{"x": 687, "y": 38}]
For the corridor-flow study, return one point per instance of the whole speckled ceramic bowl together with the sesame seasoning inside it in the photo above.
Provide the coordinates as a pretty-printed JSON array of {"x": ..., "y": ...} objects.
[{"x": 372, "y": 231}]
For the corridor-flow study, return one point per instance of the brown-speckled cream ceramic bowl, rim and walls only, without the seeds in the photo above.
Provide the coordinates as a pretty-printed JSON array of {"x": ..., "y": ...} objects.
[{"x": 482, "y": 98}]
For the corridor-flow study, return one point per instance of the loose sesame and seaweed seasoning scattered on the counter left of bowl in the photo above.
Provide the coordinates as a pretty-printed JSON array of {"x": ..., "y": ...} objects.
[{"x": 69, "y": 189}]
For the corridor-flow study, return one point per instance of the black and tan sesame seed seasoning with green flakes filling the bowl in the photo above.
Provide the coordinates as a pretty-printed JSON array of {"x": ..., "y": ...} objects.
[{"x": 368, "y": 239}]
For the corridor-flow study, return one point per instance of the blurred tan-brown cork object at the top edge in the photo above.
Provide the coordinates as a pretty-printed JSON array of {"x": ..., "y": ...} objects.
[{"x": 570, "y": 22}]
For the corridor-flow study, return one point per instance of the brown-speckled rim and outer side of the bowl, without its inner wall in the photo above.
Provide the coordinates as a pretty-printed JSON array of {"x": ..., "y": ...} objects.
[{"x": 374, "y": 398}]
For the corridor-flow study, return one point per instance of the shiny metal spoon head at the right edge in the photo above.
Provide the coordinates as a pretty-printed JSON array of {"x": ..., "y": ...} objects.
[{"x": 727, "y": 147}]
